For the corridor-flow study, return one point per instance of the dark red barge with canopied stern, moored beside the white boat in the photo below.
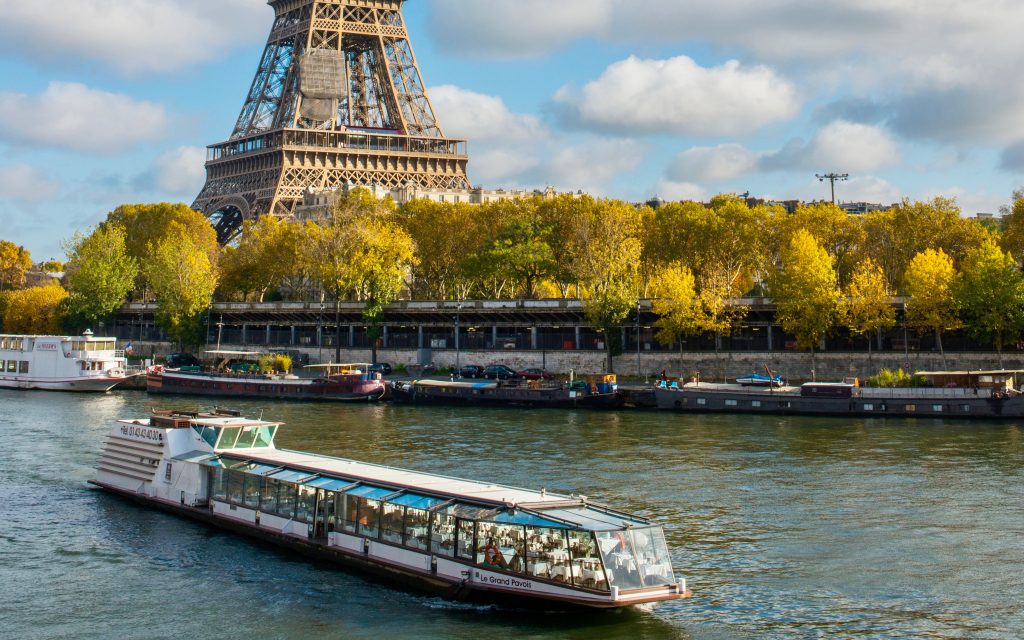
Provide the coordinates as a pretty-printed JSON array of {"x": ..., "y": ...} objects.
[{"x": 337, "y": 383}]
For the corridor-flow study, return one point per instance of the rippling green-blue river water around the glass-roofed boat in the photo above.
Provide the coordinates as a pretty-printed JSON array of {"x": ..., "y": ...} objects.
[{"x": 784, "y": 528}]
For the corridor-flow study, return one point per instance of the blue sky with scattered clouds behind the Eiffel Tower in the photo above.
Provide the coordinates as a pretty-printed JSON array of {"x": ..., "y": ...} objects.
[{"x": 115, "y": 102}]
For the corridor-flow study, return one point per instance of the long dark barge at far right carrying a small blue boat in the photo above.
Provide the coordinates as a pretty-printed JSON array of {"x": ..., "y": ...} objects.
[{"x": 991, "y": 395}]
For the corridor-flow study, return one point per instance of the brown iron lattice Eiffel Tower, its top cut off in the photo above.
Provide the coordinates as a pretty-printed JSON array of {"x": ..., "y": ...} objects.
[{"x": 338, "y": 100}]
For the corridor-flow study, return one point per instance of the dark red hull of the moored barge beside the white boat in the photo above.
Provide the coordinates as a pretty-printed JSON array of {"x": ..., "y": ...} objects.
[{"x": 327, "y": 391}]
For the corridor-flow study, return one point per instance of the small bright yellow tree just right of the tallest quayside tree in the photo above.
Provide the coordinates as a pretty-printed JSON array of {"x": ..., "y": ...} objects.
[{"x": 678, "y": 307}]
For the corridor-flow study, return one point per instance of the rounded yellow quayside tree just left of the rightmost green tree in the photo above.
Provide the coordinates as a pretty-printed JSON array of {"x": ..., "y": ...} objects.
[{"x": 929, "y": 284}]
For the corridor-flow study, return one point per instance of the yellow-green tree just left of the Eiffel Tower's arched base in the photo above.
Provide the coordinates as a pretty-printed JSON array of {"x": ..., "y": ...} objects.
[{"x": 184, "y": 279}]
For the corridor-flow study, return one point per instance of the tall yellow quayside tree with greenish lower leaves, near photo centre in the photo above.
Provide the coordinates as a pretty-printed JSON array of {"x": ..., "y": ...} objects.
[{"x": 606, "y": 253}]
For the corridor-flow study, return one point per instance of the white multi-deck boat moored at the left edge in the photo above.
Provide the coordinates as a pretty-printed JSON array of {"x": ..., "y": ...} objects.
[{"x": 62, "y": 363}]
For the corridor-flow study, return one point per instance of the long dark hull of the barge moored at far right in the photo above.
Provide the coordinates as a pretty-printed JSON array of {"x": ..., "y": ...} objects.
[{"x": 695, "y": 400}]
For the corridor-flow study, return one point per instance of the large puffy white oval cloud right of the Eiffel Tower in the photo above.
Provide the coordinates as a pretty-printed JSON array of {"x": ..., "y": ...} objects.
[{"x": 677, "y": 96}]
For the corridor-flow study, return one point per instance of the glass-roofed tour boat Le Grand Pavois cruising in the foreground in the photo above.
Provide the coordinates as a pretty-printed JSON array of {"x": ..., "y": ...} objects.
[{"x": 460, "y": 539}]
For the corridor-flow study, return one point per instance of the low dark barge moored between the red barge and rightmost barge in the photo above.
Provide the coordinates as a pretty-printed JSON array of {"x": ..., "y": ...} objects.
[{"x": 596, "y": 393}]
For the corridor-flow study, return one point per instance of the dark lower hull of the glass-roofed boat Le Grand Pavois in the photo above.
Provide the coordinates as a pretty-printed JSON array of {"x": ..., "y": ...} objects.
[{"x": 428, "y": 582}]
